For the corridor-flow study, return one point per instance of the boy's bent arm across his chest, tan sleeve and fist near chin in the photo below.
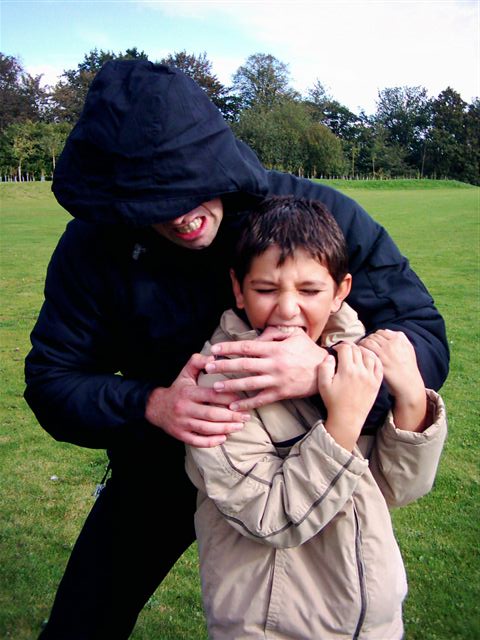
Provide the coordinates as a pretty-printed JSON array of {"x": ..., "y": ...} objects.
[{"x": 283, "y": 502}]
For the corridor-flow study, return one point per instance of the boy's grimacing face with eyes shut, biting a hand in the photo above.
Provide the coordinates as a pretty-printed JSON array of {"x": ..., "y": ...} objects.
[{"x": 299, "y": 293}]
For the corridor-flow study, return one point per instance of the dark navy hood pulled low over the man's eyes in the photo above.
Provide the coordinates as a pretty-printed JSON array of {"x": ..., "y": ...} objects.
[{"x": 149, "y": 147}]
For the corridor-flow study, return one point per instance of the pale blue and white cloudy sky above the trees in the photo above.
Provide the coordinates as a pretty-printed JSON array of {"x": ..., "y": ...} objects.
[{"x": 353, "y": 47}]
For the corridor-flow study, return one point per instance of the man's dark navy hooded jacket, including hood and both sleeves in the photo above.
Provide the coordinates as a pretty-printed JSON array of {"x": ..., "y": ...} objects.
[{"x": 125, "y": 308}]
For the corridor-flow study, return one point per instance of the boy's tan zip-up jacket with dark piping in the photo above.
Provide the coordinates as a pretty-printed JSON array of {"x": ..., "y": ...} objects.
[{"x": 295, "y": 540}]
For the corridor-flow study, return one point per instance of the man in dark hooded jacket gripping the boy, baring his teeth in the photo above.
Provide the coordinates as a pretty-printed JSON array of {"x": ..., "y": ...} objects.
[{"x": 132, "y": 291}]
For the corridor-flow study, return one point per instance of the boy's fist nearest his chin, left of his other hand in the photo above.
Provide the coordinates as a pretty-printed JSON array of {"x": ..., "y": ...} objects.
[{"x": 349, "y": 393}]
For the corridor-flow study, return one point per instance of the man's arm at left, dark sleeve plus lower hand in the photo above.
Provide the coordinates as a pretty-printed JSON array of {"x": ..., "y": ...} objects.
[{"x": 72, "y": 384}]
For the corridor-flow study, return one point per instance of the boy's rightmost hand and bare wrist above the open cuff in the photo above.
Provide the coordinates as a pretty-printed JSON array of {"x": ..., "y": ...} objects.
[{"x": 402, "y": 376}]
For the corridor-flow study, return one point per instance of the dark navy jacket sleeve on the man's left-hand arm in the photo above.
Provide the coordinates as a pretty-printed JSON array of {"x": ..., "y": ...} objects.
[{"x": 72, "y": 383}]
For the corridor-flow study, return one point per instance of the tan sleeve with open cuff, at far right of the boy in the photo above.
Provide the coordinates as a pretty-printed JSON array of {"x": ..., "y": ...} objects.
[{"x": 404, "y": 463}]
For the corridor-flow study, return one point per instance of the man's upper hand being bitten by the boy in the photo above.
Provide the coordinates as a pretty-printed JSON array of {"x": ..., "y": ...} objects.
[{"x": 274, "y": 367}]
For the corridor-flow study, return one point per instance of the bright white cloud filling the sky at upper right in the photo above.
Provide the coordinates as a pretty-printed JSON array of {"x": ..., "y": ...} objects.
[{"x": 354, "y": 47}]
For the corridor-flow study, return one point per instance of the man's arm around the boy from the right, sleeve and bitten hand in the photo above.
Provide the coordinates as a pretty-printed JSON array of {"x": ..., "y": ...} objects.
[{"x": 386, "y": 293}]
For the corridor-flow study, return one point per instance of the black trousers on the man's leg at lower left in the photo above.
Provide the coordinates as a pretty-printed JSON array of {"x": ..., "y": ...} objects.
[{"x": 139, "y": 526}]
